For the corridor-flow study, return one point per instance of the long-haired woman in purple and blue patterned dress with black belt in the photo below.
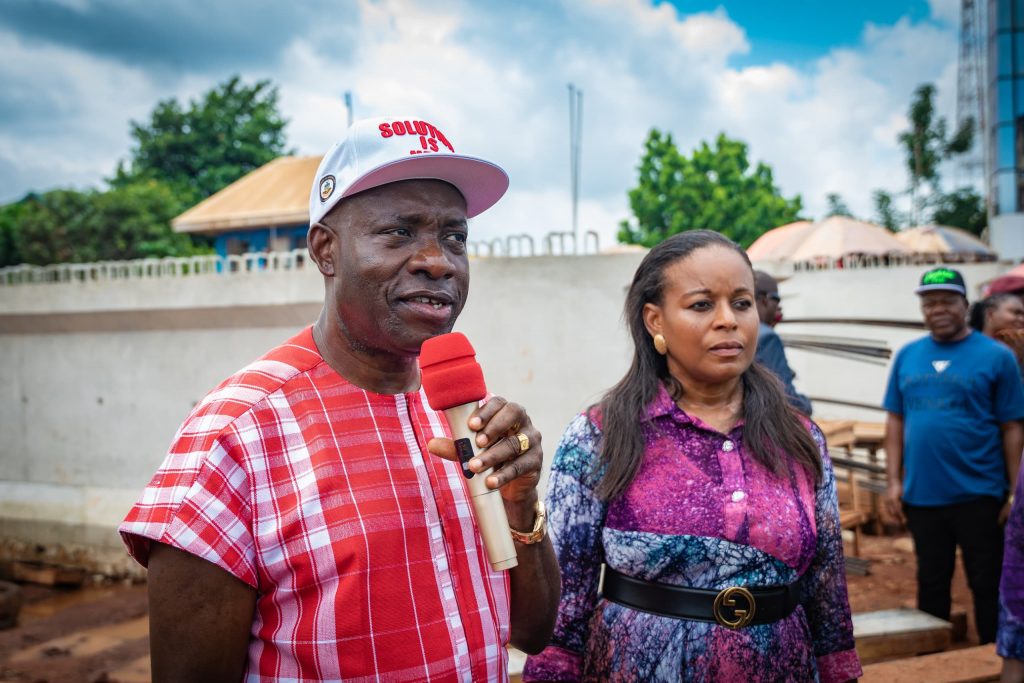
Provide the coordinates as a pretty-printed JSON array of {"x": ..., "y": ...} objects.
[{"x": 694, "y": 513}]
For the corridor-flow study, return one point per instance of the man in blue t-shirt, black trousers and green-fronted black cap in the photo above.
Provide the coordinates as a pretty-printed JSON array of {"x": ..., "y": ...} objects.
[{"x": 954, "y": 443}]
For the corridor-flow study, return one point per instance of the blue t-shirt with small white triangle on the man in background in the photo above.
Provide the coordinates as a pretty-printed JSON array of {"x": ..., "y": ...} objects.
[{"x": 954, "y": 397}]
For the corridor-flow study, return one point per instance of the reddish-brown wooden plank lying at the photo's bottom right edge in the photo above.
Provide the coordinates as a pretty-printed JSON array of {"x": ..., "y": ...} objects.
[{"x": 970, "y": 665}]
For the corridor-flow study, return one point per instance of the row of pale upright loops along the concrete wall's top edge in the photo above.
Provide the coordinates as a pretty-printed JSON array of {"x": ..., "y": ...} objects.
[{"x": 514, "y": 246}]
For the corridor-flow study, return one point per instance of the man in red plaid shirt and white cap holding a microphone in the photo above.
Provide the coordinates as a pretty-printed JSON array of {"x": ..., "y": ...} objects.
[{"x": 309, "y": 523}]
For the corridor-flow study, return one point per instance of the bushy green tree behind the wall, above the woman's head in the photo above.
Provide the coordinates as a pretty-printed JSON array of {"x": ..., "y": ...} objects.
[{"x": 714, "y": 189}]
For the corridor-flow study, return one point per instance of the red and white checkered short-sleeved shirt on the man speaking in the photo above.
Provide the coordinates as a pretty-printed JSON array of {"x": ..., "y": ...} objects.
[{"x": 363, "y": 547}]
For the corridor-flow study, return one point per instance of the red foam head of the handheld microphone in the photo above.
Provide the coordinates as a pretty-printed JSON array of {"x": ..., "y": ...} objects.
[{"x": 450, "y": 372}]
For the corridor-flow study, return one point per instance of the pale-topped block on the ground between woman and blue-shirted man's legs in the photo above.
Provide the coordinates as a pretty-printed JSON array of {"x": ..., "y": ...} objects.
[{"x": 894, "y": 633}]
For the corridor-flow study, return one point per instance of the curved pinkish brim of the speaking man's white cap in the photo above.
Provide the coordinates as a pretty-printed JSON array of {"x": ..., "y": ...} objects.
[{"x": 481, "y": 183}]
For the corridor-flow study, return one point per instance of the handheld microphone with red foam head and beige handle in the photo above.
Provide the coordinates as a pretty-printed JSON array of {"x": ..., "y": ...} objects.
[{"x": 454, "y": 383}]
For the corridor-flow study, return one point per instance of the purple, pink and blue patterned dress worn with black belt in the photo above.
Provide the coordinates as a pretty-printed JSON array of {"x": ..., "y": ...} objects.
[{"x": 700, "y": 514}]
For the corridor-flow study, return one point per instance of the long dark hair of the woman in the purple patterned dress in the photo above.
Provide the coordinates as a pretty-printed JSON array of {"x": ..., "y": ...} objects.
[{"x": 773, "y": 432}]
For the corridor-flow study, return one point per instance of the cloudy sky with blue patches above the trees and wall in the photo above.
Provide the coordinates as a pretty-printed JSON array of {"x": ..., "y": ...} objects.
[{"x": 820, "y": 91}]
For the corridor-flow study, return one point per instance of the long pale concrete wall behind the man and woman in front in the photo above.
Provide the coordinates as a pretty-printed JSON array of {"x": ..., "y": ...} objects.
[{"x": 96, "y": 377}]
